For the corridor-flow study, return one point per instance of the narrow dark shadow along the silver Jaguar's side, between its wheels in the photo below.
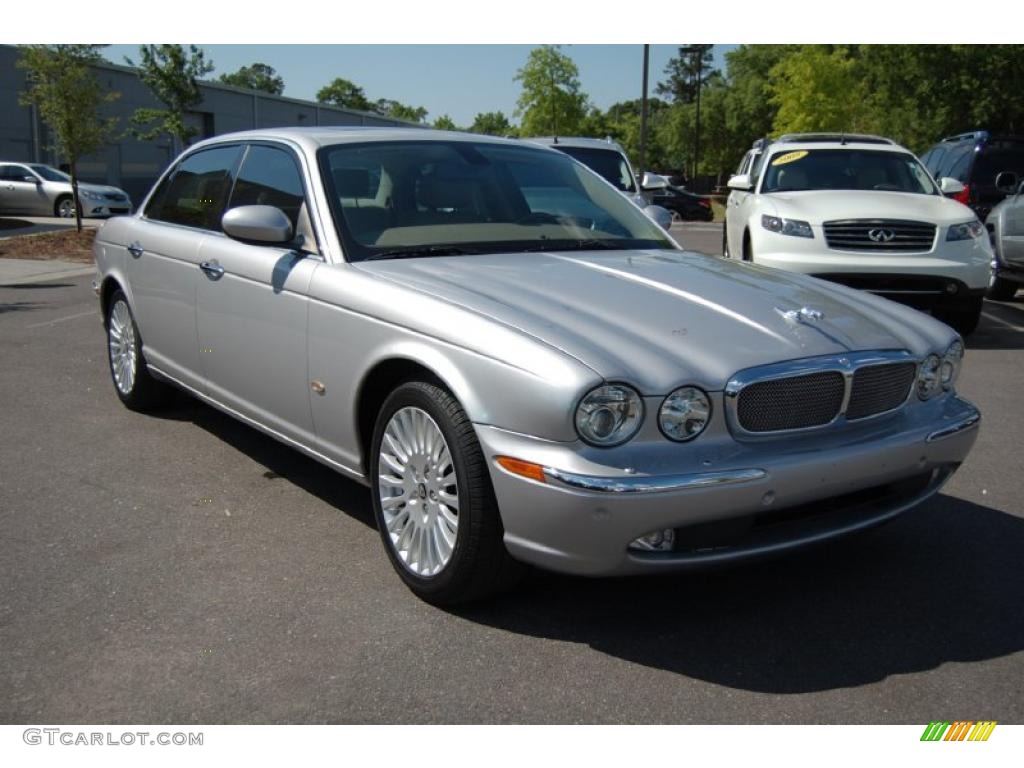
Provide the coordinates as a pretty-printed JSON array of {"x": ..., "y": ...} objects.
[{"x": 281, "y": 461}]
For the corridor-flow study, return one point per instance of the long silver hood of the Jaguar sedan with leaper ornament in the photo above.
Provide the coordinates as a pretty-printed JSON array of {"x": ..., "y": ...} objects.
[{"x": 661, "y": 319}]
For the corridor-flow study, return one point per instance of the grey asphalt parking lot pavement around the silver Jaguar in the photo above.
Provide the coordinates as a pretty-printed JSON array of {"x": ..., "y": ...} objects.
[{"x": 186, "y": 569}]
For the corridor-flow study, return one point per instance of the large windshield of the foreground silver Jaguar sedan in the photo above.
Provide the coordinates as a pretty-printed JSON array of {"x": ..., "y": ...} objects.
[{"x": 447, "y": 198}]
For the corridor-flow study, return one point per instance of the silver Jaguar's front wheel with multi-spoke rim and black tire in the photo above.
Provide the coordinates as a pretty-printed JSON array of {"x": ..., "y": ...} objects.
[{"x": 434, "y": 501}]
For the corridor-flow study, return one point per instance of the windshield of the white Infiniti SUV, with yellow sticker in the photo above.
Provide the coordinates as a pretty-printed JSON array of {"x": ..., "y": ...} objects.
[{"x": 846, "y": 169}]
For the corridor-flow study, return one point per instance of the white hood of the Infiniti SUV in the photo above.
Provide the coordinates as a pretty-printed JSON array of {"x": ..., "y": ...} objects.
[{"x": 818, "y": 206}]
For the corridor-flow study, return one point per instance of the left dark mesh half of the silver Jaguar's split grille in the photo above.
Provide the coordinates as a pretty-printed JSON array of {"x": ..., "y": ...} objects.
[{"x": 793, "y": 403}]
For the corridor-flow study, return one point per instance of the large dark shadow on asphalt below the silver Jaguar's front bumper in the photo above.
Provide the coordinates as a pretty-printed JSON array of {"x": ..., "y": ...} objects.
[{"x": 944, "y": 584}]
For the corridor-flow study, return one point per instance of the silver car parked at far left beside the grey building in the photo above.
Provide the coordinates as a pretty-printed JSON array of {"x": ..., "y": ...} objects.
[{"x": 33, "y": 190}]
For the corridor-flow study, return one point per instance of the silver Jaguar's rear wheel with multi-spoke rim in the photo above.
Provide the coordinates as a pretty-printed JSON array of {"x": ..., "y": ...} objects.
[{"x": 133, "y": 382}]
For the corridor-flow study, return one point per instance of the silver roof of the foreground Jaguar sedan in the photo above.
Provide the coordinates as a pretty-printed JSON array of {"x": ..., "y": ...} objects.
[{"x": 315, "y": 138}]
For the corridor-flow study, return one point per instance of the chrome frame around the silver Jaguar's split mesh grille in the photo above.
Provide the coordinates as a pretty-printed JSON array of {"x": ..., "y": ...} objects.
[{"x": 847, "y": 365}]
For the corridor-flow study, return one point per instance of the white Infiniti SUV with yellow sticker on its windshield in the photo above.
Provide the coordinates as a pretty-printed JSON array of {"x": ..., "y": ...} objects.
[{"x": 865, "y": 212}]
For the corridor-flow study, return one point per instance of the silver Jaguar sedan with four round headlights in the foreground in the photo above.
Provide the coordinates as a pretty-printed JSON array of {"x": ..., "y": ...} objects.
[{"x": 521, "y": 365}]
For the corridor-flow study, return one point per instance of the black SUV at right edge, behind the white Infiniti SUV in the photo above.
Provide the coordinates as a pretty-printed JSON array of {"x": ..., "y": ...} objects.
[{"x": 975, "y": 160}]
